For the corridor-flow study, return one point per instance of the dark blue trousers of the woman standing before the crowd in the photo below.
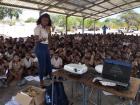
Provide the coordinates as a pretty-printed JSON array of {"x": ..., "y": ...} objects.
[{"x": 44, "y": 61}]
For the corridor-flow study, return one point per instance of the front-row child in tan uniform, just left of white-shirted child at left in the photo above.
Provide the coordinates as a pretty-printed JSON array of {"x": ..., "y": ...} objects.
[{"x": 15, "y": 69}]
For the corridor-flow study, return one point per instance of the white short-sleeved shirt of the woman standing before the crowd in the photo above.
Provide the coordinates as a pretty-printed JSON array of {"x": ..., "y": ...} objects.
[{"x": 42, "y": 33}]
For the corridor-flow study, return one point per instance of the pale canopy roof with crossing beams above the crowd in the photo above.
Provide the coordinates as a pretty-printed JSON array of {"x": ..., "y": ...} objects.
[{"x": 95, "y": 9}]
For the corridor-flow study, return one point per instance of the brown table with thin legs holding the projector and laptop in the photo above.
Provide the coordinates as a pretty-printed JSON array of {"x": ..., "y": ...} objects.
[{"x": 87, "y": 78}]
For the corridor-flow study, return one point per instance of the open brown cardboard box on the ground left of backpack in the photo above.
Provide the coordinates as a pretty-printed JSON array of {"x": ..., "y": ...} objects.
[{"x": 31, "y": 96}]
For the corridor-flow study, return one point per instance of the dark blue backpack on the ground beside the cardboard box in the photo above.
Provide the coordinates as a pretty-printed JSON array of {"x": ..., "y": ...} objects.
[{"x": 59, "y": 95}]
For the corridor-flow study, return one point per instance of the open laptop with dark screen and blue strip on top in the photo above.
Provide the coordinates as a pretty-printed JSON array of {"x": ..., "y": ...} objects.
[{"x": 117, "y": 72}]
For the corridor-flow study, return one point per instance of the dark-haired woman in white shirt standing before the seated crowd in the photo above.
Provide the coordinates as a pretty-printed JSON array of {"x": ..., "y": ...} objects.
[{"x": 43, "y": 33}]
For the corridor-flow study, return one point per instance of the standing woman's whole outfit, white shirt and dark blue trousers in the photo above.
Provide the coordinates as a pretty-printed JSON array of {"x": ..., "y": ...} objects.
[{"x": 42, "y": 52}]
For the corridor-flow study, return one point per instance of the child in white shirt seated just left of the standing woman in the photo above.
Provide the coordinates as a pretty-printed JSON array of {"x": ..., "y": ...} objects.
[{"x": 27, "y": 62}]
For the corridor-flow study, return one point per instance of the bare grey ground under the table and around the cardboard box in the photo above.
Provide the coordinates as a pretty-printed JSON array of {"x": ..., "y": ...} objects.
[{"x": 75, "y": 99}]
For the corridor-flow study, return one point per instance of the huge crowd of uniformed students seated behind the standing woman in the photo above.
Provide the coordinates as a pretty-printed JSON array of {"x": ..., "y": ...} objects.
[{"x": 17, "y": 55}]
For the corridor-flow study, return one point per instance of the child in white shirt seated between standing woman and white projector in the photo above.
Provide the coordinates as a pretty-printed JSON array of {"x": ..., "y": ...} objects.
[{"x": 56, "y": 61}]
